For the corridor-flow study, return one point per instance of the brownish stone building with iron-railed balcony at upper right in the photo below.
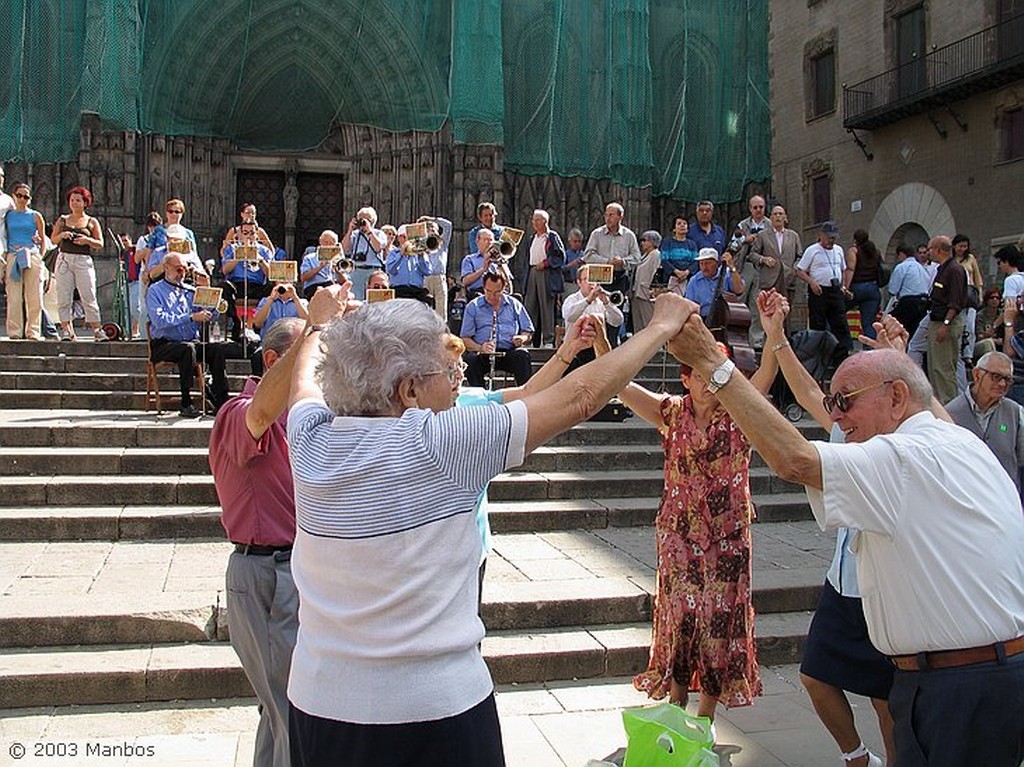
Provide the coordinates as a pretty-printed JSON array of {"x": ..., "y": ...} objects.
[{"x": 901, "y": 117}]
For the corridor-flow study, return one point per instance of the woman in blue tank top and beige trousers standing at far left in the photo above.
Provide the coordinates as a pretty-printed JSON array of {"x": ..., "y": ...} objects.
[{"x": 24, "y": 266}]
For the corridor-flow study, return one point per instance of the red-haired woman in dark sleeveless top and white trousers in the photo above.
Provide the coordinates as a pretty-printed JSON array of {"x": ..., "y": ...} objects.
[{"x": 76, "y": 235}]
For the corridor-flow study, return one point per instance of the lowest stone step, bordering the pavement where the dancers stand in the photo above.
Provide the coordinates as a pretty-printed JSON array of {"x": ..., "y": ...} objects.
[{"x": 135, "y": 674}]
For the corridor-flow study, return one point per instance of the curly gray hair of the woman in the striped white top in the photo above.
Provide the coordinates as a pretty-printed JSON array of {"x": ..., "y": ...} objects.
[{"x": 369, "y": 352}]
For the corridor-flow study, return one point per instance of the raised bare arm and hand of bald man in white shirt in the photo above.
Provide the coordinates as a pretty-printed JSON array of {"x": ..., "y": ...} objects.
[{"x": 779, "y": 442}]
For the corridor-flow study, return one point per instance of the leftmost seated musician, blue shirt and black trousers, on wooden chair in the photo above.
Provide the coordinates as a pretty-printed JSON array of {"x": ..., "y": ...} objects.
[{"x": 175, "y": 334}]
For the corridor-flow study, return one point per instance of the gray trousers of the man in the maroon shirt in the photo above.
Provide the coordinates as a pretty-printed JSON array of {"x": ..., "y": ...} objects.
[{"x": 264, "y": 621}]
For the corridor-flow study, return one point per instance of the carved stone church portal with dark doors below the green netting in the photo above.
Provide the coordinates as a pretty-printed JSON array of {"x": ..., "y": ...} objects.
[{"x": 403, "y": 176}]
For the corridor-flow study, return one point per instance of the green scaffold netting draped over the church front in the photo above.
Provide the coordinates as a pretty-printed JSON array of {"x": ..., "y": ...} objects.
[{"x": 670, "y": 95}]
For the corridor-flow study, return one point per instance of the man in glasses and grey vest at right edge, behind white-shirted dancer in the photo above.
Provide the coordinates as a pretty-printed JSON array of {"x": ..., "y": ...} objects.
[{"x": 986, "y": 410}]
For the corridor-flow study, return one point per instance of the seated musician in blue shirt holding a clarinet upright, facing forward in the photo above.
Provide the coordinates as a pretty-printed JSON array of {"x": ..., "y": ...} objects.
[{"x": 497, "y": 323}]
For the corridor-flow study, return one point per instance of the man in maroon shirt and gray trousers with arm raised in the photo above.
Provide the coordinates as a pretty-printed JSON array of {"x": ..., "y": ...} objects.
[{"x": 253, "y": 477}]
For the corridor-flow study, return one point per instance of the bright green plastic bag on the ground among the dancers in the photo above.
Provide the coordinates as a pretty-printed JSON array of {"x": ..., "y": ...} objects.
[{"x": 666, "y": 736}]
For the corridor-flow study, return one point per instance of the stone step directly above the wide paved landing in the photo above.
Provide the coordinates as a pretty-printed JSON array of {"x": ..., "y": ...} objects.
[{"x": 134, "y": 523}]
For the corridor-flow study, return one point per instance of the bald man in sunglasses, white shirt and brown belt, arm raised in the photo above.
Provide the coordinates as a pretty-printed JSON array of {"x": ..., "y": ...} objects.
[{"x": 941, "y": 546}]
